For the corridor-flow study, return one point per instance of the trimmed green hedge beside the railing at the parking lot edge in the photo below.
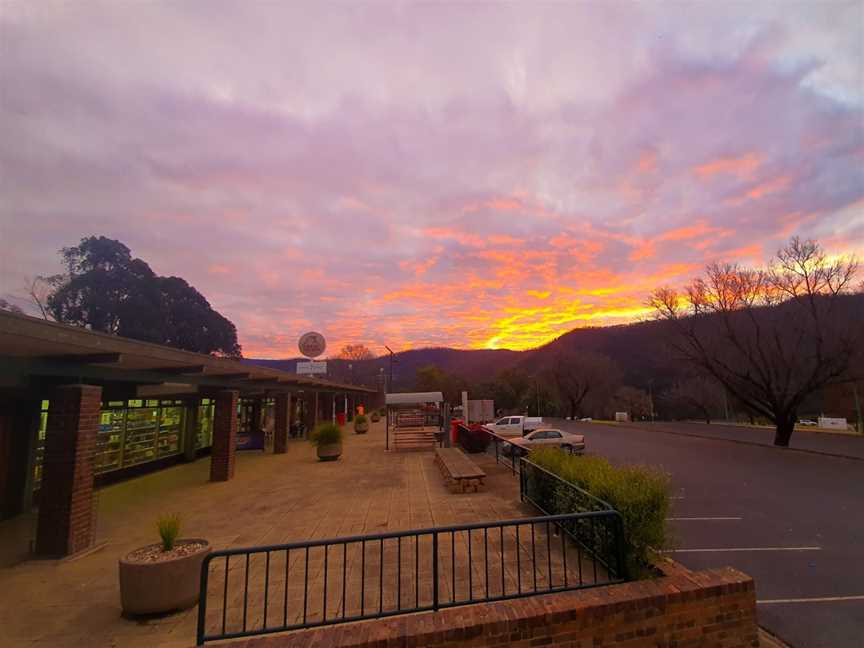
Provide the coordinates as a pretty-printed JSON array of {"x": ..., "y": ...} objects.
[{"x": 639, "y": 493}]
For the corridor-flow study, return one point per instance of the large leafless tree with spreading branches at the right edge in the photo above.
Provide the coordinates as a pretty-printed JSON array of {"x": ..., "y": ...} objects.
[{"x": 771, "y": 336}]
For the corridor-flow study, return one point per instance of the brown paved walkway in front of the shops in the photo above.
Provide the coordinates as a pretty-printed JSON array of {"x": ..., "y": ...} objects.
[{"x": 273, "y": 499}]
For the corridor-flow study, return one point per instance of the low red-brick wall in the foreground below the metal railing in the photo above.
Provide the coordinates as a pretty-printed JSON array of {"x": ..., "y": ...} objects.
[{"x": 714, "y": 608}]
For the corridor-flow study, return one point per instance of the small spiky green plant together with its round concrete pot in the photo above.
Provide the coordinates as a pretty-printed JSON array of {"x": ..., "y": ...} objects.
[{"x": 165, "y": 576}]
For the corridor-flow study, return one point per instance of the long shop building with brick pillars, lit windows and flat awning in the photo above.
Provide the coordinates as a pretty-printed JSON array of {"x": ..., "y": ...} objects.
[{"x": 79, "y": 410}]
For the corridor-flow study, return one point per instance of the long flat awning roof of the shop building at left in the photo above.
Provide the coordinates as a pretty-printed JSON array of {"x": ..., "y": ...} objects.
[{"x": 32, "y": 348}]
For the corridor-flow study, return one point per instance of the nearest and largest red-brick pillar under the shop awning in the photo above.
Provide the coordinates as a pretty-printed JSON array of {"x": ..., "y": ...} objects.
[{"x": 65, "y": 524}]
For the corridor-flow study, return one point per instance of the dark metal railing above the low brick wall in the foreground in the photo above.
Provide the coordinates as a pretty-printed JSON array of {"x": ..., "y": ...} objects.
[{"x": 275, "y": 588}]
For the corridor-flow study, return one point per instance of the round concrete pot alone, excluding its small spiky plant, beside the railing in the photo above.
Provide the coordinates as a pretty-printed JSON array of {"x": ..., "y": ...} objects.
[{"x": 161, "y": 586}]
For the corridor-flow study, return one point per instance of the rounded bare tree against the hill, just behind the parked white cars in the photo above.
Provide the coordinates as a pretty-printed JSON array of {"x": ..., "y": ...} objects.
[{"x": 580, "y": 377}]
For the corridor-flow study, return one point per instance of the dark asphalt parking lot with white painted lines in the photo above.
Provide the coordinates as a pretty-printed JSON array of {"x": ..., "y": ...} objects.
[{"x": 792, "y": 520}]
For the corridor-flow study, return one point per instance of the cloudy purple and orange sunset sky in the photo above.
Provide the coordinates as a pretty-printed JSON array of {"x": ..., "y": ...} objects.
[{"x": 480, "y": 175}]
